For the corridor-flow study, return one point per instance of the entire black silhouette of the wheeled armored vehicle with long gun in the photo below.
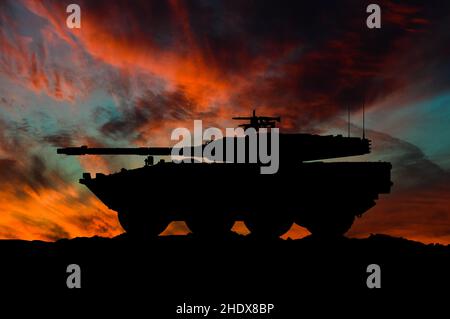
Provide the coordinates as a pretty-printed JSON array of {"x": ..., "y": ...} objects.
[{"x": 324, "y": 197}]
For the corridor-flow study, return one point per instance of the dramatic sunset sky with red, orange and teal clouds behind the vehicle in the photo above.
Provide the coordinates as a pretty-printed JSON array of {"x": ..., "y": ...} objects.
[{"x": 137, "y": 69}]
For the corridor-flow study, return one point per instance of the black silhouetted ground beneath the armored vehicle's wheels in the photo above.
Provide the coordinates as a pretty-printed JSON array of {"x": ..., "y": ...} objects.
[{"x": 156, "y": 276}]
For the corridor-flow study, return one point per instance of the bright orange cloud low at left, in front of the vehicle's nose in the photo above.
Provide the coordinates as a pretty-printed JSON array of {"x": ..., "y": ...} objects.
[{"x": 53, "y": 214}]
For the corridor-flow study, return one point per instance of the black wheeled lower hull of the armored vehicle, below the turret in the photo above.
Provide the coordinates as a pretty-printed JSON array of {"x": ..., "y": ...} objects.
[{"x": 323, "y": 197}]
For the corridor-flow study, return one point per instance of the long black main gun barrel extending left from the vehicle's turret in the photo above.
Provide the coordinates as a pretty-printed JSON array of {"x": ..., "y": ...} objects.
[{"x": 84, "y": 150}]
